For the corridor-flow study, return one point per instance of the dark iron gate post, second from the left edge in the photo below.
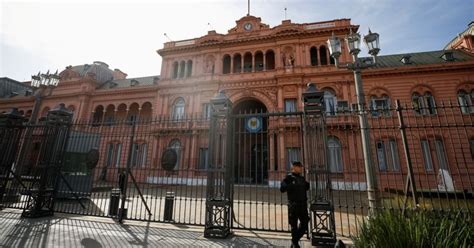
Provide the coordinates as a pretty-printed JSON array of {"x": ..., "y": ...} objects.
[{"x": 42, "y": 191}]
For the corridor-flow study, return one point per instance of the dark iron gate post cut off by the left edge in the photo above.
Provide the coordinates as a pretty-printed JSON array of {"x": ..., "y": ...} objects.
[{"x": 11, "y": 128}]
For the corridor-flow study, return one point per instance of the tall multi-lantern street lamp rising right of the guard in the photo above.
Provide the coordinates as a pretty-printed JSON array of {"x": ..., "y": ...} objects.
[{"x": 353, "y": 44}]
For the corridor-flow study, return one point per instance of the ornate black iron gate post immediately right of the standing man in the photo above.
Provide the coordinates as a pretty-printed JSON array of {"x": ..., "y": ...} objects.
[{"x": 322, "y": 221}]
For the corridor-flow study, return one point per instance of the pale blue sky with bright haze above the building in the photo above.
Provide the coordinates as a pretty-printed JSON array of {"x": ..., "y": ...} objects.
[{"x": 49, "y": 35}]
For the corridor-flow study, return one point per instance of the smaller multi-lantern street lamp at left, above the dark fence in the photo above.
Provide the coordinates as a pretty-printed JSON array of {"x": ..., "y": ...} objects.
[{"x": 42, "y": 83}]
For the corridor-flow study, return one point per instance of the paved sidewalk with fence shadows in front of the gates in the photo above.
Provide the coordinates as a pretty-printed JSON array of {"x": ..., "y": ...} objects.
[{"x": 83, "y": 231}]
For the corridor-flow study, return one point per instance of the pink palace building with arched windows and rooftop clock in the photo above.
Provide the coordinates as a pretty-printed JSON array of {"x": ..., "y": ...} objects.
[{"x": 263, "y": 68}]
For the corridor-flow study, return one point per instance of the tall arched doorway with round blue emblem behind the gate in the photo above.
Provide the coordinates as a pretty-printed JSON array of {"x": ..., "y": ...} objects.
[{"x": 251, "y": 145}]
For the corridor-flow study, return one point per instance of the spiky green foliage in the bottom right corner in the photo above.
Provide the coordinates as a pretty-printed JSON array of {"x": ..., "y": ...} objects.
[{"x": 416, "y": 229}]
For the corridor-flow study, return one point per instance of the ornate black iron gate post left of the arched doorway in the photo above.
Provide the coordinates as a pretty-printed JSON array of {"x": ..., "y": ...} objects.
[{"x": 220, "y": 171}]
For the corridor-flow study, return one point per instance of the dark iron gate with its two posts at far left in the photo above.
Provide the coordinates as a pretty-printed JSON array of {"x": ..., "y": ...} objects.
[{"x": 31, "y": 161}]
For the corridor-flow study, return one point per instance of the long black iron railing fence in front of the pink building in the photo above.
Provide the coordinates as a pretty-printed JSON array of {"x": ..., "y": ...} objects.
[{"x": 423, "y": 158}]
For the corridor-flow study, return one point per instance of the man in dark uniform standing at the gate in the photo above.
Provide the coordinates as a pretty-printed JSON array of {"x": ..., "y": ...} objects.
[{"x": 296, "y": 186}]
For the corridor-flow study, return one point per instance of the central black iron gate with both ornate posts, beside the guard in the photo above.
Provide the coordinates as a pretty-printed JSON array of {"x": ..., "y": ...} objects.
[{"x": 251, "y": 151}]
